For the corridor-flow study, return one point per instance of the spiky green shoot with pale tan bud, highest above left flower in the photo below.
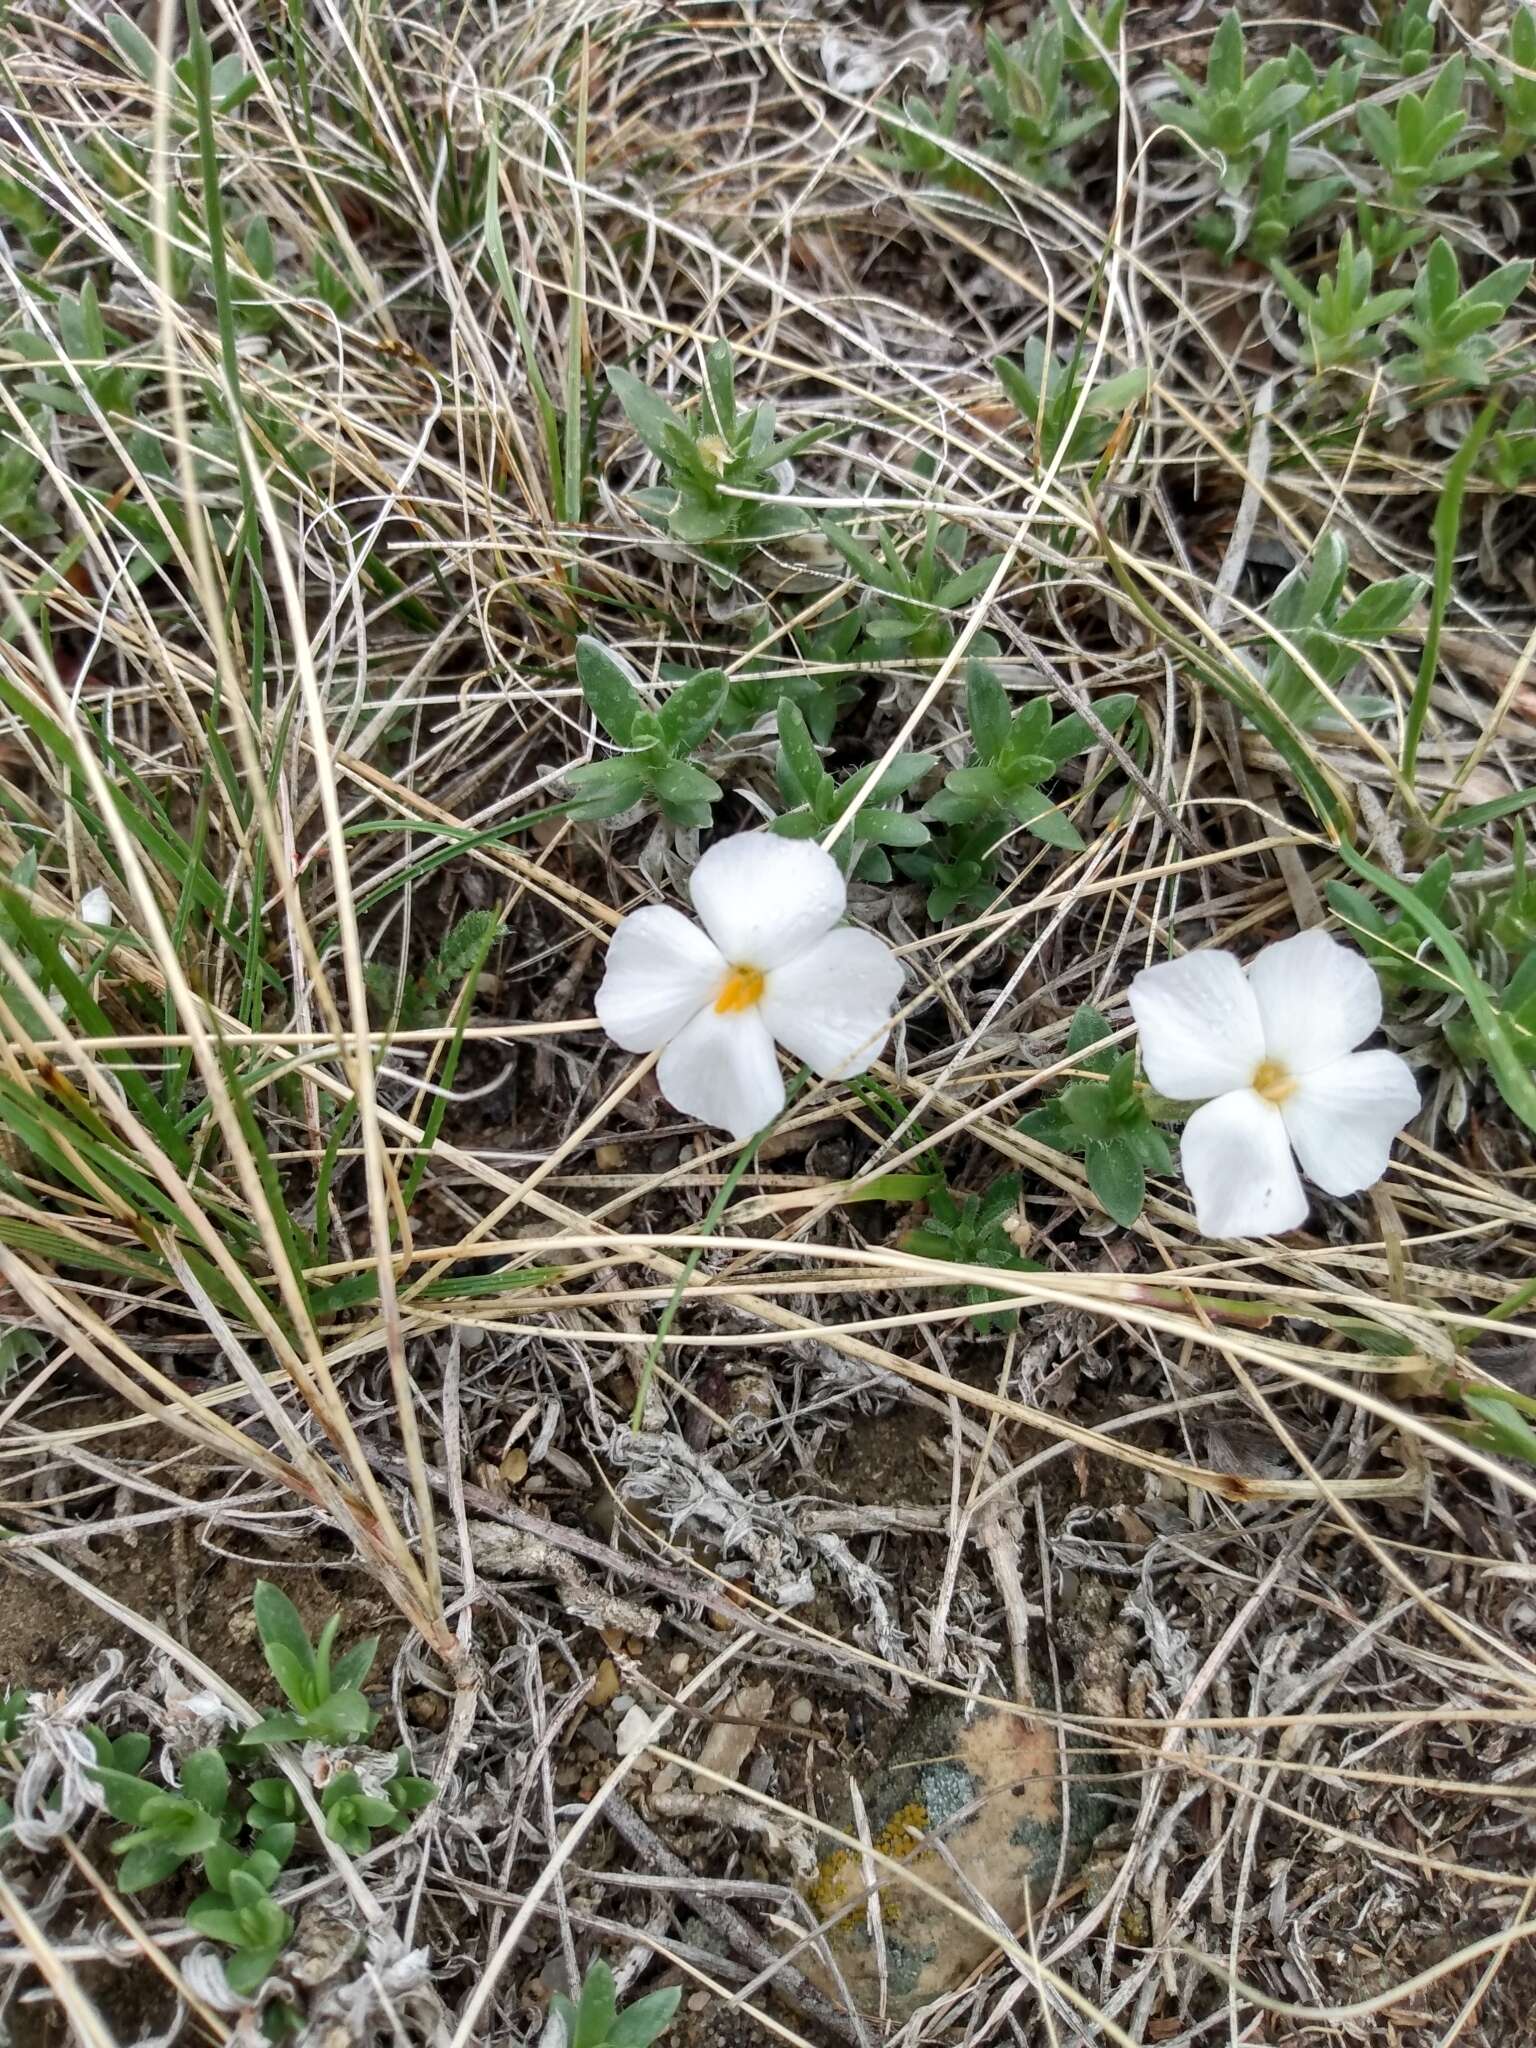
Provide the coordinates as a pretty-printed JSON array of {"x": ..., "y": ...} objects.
[{"x": 712, "y": 458}]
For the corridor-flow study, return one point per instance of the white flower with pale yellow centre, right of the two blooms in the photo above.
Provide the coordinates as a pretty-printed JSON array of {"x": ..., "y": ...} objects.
[{"x": 1273, "y": 1058}]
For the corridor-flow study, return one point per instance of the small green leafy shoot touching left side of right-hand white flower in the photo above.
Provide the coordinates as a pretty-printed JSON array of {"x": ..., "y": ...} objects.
[{"x": 1105, "y": 1119}]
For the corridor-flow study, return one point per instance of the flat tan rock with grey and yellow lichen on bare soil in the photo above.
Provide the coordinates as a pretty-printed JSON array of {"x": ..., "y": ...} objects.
[{"x": 990, "y": 1789}]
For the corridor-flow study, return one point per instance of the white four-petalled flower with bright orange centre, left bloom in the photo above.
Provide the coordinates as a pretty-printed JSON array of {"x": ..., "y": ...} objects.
[{"x": 771, "y": 968}]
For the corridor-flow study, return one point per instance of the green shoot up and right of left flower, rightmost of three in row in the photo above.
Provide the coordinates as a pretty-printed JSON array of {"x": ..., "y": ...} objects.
[{"x": 1013, "y": 757}]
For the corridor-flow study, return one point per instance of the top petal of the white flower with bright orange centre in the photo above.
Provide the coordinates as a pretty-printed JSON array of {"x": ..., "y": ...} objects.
[{"x": 765, "y": 900}]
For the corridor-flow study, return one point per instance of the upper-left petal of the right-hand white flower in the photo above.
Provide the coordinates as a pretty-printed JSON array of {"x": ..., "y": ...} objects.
[{"x": 1199, "y": 1027}]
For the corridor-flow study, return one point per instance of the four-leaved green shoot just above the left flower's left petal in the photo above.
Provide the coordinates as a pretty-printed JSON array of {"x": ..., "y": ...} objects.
[{"x": 654, "y": 767}]
